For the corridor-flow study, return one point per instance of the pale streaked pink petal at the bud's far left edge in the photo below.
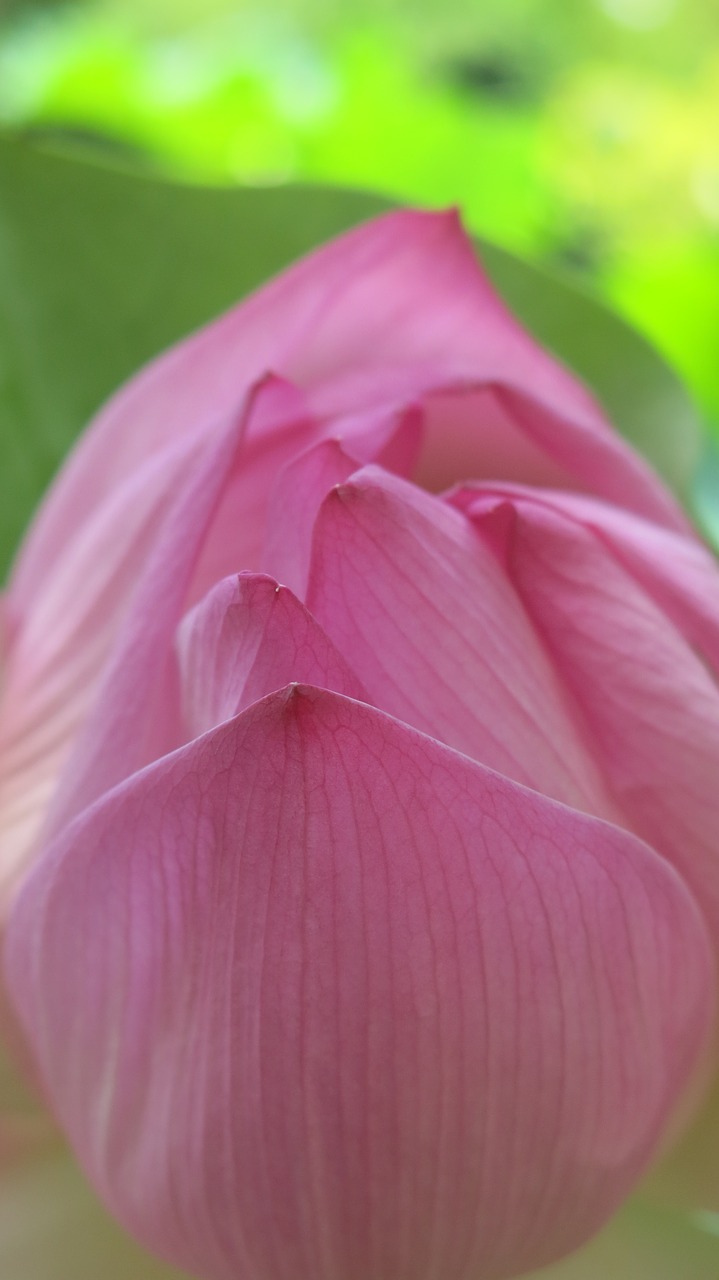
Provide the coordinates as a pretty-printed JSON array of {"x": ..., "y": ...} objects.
[{"x": 59, "y": 648}]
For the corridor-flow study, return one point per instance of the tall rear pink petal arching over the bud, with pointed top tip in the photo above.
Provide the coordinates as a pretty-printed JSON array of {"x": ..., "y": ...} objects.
[{"x": 405, "y": 301}]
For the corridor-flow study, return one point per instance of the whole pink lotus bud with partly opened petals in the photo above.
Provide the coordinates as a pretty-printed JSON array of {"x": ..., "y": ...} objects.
[{"x": 361, "y": 927}]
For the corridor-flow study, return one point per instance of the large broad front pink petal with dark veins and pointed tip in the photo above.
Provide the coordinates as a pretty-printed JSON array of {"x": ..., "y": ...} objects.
[{"x": 355, "y": 1007}]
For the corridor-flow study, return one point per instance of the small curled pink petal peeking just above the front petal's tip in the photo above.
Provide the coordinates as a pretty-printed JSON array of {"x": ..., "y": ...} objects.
[{"x": 246, "y": 639}]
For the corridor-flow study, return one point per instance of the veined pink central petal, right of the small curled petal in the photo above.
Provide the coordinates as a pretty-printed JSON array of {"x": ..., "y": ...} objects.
[{"x": 427, "y": 619}]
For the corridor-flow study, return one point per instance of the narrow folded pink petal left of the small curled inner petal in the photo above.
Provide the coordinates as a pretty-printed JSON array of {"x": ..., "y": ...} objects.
[{"x": 138, "y": 711}]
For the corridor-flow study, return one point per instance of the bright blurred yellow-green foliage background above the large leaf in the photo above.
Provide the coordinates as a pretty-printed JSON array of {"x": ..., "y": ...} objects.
[{"x": 580, "y": 134}]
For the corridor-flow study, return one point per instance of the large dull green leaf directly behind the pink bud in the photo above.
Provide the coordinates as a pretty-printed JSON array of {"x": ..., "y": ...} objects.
[{"x": 102, "y": 268}]
